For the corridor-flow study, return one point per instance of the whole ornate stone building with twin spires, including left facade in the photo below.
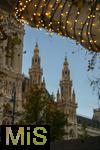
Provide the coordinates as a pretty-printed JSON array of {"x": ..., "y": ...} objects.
[{"x": 13, "y": 83}]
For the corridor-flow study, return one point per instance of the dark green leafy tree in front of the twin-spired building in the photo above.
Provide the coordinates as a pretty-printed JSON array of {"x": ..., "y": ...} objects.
[{"x": 40, "y": 109}]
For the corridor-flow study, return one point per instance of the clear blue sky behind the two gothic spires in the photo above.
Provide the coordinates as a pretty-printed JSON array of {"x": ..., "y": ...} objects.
[{"x": 52, "y": 52}]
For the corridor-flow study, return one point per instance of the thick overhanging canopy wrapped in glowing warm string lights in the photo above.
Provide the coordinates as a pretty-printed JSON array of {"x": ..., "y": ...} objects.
[{"x": 76, "y": 19}]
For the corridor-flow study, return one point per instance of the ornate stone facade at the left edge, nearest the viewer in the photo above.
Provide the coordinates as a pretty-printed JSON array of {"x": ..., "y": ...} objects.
[{"x": 11, "y": 53}]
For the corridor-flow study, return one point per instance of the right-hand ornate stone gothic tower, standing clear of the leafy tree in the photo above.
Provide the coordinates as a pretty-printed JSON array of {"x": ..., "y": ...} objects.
[{"x": 66, "y": 101}]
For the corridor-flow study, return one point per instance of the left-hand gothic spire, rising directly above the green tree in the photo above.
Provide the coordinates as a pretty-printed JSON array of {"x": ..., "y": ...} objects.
[{"x": 36, "y": 72}]
